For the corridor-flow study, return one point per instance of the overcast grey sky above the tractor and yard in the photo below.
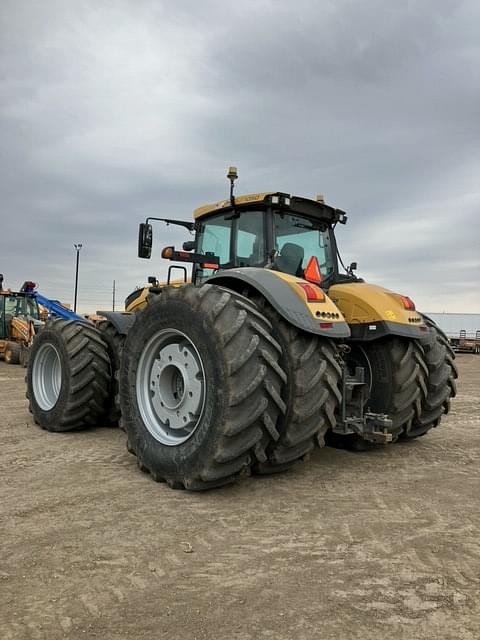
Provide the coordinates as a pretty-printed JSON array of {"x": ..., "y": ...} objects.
[{"x": 115, "y": 110}]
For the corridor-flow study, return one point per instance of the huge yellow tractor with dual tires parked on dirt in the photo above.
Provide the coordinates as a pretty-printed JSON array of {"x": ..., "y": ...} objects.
[{"x": 262, "y": 352}]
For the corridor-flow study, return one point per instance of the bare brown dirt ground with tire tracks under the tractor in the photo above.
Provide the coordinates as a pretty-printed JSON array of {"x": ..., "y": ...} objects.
[{"x": 382, "y": 544}]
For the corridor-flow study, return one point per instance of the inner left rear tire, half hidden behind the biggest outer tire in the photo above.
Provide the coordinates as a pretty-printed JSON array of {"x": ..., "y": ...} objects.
[{"x": 311, "y": 393}]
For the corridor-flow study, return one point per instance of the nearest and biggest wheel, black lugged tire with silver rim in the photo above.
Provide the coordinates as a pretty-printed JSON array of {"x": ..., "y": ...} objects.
[{"x": 200, "y": 387}]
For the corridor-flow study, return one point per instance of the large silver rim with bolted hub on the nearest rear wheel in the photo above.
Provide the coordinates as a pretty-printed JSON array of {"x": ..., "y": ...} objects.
[{"x": 170, "y": 387}]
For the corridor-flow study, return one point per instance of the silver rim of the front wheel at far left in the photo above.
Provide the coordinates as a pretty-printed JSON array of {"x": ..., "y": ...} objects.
[{"x": 47, "y": 377}]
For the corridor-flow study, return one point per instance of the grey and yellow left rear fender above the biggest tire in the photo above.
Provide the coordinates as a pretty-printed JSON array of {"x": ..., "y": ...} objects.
[{"x": 285, "y": 295}]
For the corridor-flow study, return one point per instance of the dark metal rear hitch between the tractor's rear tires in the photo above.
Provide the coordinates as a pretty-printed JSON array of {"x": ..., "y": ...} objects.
[{"x": 373, "y": 427}]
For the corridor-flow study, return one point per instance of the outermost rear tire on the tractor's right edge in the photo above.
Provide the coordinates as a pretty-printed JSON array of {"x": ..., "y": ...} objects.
[{"x": 440, "y": 381}]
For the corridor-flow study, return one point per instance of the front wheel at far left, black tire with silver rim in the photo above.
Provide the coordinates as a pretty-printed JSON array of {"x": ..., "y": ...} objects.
[{"x": 68, "y": 376}]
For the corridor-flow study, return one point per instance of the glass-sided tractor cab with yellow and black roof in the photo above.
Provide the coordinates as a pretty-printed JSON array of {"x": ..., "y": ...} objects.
[{"x": 273, "y": 230}]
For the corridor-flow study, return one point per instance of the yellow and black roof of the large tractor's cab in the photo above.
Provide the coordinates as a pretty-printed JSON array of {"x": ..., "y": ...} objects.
[{"x": 296, "y": 204}]
